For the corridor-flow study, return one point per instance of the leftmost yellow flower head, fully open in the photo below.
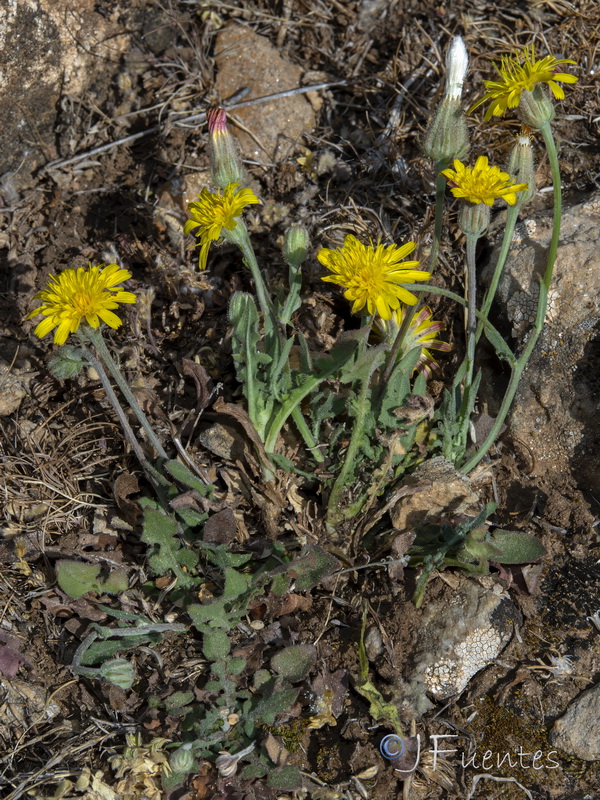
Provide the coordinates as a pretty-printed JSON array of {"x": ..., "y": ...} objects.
[{"x": 79, "y": 294}]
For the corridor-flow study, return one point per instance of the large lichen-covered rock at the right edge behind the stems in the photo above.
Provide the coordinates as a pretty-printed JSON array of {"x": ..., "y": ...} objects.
[{"x": 555, "y": 413}]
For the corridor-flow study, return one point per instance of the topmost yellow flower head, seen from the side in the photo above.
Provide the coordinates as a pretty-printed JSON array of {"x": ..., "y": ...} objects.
[{"x": 522, "y": 72}]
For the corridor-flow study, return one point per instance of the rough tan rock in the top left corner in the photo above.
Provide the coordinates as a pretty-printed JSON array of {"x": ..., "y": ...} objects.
[{"x": 47, "y": 48}]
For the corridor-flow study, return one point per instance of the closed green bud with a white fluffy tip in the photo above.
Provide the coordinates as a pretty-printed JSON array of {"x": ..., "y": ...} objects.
[{"x": 447, "y": 136}]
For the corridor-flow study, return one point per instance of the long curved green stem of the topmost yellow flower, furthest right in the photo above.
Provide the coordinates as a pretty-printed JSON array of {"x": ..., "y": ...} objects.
[{"x": 541, "y": 309}]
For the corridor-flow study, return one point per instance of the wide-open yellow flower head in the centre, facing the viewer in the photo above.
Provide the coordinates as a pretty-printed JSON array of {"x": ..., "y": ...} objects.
[{"x": 371, "y": 274}]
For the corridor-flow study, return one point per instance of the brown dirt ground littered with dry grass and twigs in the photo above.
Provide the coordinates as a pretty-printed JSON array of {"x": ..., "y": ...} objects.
[{"x": 62, "y": 451}]
